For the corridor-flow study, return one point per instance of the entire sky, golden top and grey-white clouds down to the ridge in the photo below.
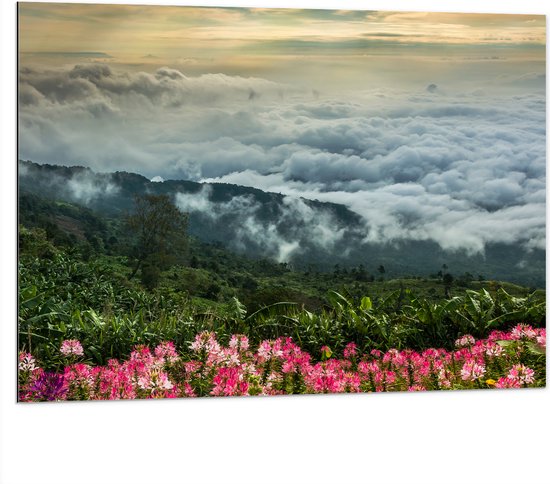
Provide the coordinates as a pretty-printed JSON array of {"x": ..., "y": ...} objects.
[{"x": 431, "y": 126}]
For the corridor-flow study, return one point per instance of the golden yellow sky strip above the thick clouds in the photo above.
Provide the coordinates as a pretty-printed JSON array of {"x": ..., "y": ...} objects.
[{"x": 128, "y": 33}]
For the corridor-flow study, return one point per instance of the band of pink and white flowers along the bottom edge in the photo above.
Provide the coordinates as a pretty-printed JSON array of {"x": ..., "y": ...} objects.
[{"x": 511, "y": 359}]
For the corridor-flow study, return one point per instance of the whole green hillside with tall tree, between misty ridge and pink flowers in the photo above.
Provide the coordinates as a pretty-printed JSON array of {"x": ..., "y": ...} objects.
[{"x": 86, "y": 291}]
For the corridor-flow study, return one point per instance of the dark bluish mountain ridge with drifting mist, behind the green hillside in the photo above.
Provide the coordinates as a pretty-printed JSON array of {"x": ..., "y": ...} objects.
[{"x": 302, "y": 232}]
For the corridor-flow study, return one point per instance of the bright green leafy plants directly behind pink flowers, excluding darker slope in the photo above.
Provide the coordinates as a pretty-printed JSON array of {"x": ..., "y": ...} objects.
[{"x": 66, "y": 298}]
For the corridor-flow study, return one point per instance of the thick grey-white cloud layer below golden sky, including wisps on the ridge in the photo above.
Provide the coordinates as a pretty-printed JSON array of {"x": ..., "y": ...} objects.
[{"x": 459, "y": 167}]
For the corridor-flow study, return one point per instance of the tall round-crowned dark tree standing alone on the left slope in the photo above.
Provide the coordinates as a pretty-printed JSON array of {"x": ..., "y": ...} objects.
[{"x": 160, "y": 232}]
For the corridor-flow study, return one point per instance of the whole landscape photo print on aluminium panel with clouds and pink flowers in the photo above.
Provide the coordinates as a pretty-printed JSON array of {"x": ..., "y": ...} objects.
[{"x": 250, "y": 201}]
